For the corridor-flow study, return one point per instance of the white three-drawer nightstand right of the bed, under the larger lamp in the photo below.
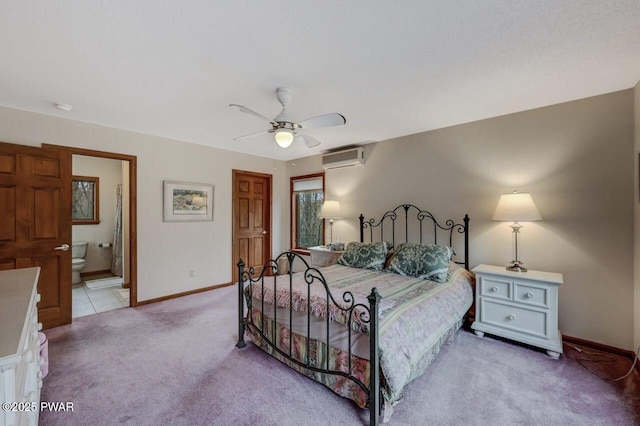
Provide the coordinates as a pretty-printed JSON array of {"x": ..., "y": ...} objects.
[{"x": 521, "y": 306}]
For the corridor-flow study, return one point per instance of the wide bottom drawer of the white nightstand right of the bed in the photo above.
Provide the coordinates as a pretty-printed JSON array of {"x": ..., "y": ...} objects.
[{"x": 517, "y": 319}]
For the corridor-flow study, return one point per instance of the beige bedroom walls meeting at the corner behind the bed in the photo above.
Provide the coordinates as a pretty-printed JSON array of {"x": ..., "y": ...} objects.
[{"x": 577, "y": 160}]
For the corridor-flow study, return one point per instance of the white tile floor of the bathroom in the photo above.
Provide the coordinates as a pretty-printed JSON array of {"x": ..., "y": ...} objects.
[{"x": 87, "y": 302}]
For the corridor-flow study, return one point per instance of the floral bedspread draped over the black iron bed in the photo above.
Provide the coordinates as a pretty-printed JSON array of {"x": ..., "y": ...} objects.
[{"x": 415, "y": 315}]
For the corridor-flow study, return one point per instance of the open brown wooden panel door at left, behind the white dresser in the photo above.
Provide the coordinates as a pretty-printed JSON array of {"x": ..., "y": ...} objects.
[{"x": 35, "y": 223}]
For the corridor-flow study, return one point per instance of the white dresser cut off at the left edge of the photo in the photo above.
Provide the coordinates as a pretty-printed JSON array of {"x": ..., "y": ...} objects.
[{"x": 20, "y": 374}]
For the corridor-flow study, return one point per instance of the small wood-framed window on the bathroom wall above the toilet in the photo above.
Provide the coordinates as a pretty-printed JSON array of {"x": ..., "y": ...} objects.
[{"x": 85, "y": 200}]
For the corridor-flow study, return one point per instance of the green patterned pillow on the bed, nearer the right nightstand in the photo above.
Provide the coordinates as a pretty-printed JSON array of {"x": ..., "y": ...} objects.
[{"x": 429, "y": 262}]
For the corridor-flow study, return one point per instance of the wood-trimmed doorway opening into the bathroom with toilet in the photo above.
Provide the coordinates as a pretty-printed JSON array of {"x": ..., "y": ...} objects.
[{"x": 103, "y": 231}]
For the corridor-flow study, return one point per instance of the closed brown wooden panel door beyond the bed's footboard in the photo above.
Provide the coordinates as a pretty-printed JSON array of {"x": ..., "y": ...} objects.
[{"x": 251, "y": 219}]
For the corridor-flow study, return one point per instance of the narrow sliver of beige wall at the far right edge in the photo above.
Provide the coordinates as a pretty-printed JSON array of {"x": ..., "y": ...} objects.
[{"x": 636, "y": 257}]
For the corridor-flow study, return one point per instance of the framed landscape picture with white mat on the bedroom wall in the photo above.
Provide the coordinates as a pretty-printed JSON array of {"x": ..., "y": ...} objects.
[{"x": 187, "y": 202}]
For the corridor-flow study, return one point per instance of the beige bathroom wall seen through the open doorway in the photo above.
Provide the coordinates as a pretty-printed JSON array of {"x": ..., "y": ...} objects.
[{"x": 109, "y": 173}]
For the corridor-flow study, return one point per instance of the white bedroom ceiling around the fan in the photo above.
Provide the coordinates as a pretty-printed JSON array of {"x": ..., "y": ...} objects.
[{"x": 392, "y": 68}]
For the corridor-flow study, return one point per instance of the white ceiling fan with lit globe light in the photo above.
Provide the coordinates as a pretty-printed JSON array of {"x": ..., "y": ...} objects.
[{"x": 285, "y": 130}]
